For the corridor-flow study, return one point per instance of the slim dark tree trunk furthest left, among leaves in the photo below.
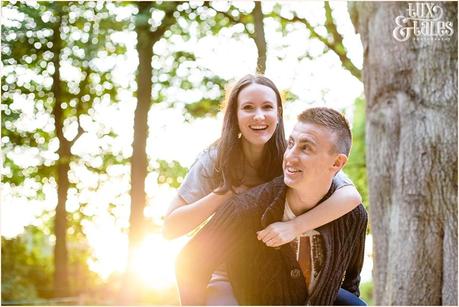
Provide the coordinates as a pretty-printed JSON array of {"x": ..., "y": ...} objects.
[{"x": 61, "y": 284}]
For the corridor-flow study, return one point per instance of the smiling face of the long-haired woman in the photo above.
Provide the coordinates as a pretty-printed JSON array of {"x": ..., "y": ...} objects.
[{"x": 257, "y": 113}]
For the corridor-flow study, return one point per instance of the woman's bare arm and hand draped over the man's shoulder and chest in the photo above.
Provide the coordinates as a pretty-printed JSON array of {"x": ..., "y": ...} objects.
[{"x": 338, "y": 204}]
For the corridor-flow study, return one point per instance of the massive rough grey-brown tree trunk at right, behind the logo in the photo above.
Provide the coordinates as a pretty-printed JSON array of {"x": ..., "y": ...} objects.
[{"x": 411, "y": 93}]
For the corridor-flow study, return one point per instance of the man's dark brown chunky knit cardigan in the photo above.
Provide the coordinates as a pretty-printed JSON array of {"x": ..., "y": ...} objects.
[{"x": 262, "y": 275}]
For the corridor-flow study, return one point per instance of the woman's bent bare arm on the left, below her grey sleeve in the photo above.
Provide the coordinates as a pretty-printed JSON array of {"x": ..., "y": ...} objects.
[{"x": 181, "y": 217}]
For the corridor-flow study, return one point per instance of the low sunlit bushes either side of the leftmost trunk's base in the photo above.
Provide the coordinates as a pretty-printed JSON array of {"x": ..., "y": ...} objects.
[{"x": 27, "y": 265}]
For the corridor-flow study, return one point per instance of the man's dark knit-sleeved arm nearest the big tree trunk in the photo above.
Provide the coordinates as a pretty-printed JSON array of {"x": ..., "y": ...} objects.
[{"x": 352, "y": 278}]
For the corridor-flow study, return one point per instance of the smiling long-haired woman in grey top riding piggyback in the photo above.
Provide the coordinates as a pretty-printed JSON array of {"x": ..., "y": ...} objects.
[{"x": 248, "y": 153}]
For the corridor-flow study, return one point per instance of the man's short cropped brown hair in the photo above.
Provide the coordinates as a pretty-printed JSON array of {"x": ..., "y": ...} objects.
[{"x": 332, "y": 120}]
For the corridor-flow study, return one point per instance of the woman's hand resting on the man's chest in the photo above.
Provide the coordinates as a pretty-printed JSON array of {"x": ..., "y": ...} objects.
[{"x": 278, "y": 234}]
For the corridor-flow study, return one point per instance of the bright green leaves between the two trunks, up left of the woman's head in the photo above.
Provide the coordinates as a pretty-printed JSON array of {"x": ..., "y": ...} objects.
[{"x": 183, "y": 73}]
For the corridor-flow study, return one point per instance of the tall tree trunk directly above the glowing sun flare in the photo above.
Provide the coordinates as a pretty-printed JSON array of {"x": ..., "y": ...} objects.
[{"x": 129, "y": 294}]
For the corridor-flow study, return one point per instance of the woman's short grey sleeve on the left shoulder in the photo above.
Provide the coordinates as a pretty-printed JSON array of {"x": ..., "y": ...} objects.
[{"x": 198, "y": 182}]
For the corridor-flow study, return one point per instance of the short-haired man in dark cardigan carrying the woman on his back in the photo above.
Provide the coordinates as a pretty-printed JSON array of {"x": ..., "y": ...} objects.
[{"x": 308, "y": 272}]
